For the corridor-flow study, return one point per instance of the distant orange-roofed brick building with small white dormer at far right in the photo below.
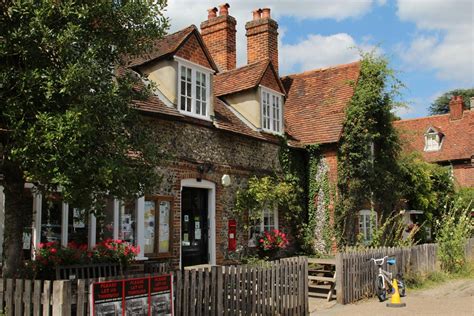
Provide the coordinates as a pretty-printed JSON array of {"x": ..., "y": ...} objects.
[{"x": 446, "y": 139}]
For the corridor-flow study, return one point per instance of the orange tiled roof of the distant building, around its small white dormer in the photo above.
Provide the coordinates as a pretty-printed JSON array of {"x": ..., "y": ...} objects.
[{"x": 458, "y": 139}]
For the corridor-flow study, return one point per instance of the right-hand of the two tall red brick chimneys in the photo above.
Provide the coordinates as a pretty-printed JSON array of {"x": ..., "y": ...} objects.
[{"x": 262, "y": 37}]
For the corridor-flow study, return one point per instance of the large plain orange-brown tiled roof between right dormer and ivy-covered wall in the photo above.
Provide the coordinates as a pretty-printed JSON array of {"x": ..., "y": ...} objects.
[{"x": 314, "y": 109}]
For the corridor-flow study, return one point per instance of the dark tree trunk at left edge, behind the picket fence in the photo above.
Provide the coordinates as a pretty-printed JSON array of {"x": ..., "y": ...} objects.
[{"x": 15, "y": 214}]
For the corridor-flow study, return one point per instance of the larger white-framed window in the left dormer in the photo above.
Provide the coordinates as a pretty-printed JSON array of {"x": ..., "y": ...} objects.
[{"x": 194, "y": 84}]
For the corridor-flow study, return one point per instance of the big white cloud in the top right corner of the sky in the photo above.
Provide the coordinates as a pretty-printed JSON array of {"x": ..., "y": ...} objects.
[{"x": 444, "y": 40}]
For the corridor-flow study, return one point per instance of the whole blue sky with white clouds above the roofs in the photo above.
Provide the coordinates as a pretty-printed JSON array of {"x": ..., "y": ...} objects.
[{"x": 429, "y": 42}]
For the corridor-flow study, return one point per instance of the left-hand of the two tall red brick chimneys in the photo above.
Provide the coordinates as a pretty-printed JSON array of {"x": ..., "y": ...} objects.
[{"x": 218, "y": 33}]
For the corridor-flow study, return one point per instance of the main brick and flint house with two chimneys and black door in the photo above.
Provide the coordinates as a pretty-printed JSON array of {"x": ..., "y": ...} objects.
[{"x": 219, "y": 125}]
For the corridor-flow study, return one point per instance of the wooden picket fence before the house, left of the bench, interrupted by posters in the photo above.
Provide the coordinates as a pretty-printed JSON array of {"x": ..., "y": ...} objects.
[{"x": 276, "y": 288}]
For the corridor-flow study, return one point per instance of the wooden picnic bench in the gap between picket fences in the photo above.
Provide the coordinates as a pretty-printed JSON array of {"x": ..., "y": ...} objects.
[{"x": 322, "y": 276}]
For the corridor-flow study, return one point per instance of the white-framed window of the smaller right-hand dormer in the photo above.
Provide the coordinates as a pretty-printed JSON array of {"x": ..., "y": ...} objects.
[{"x": 272, "y": 111}]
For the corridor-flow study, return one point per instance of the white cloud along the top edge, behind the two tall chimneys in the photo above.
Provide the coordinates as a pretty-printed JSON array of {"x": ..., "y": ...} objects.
[{"x": 185, "y": 12}]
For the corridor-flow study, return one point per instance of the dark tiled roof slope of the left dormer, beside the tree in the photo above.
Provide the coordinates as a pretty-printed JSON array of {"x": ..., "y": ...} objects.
[{"x": 162, "y": 47}]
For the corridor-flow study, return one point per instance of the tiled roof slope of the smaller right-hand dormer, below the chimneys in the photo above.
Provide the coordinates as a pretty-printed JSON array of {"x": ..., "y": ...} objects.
[{"x": 241, "y": 79}]
